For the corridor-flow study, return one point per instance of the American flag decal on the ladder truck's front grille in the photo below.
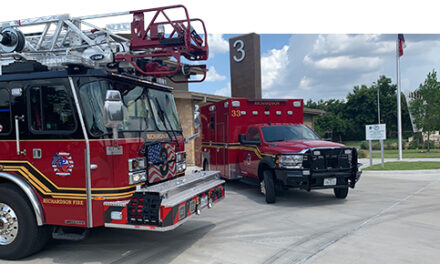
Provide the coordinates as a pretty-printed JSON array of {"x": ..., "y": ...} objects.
[{"x": 163, "y": 159}]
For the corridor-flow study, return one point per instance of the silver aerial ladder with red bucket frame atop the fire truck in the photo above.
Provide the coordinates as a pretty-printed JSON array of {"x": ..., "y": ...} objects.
[{"x": 154, "y": 48}]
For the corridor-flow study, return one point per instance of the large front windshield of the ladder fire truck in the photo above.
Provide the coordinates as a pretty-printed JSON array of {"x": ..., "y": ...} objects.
[{"x": 138, "y": 116}]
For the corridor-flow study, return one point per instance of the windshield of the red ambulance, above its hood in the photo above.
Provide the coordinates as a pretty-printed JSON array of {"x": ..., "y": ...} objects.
[{"x": 282, "y": 133}]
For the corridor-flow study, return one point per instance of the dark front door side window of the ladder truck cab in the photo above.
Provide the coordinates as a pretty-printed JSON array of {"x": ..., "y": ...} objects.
[{"x": 51, "y": 109}]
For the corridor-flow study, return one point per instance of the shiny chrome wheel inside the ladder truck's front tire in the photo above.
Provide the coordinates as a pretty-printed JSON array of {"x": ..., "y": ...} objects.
[{"x": 8, "y": 224}]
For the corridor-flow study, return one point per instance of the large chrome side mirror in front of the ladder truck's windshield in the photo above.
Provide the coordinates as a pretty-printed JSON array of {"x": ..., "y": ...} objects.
[{"x": 113, "y": 111}]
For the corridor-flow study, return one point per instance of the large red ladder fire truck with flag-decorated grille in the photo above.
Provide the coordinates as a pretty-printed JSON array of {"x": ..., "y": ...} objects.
[{"x": 89, "y": 132}]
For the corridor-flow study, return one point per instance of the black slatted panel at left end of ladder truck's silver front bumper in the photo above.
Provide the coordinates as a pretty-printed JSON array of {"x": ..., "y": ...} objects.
[{"x": 143, "y": 208}]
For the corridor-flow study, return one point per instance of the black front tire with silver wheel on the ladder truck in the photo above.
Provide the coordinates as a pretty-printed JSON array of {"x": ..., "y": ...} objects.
[{"x": 19, "y": 234}]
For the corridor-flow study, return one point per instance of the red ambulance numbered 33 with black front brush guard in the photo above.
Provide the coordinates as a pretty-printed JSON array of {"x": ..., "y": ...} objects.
[{"x": 264, "y": 141}]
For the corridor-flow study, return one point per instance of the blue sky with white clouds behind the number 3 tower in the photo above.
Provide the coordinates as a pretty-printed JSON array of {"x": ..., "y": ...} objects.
[{"x": 324, "y": 66}]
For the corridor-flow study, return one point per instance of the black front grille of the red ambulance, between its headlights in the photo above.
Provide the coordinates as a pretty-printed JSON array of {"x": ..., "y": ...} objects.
[{"x": 330, "y": 159}]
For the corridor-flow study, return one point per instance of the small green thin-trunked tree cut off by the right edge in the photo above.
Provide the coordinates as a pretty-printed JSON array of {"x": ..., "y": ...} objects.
[{"x": 425, "y": 108}]
